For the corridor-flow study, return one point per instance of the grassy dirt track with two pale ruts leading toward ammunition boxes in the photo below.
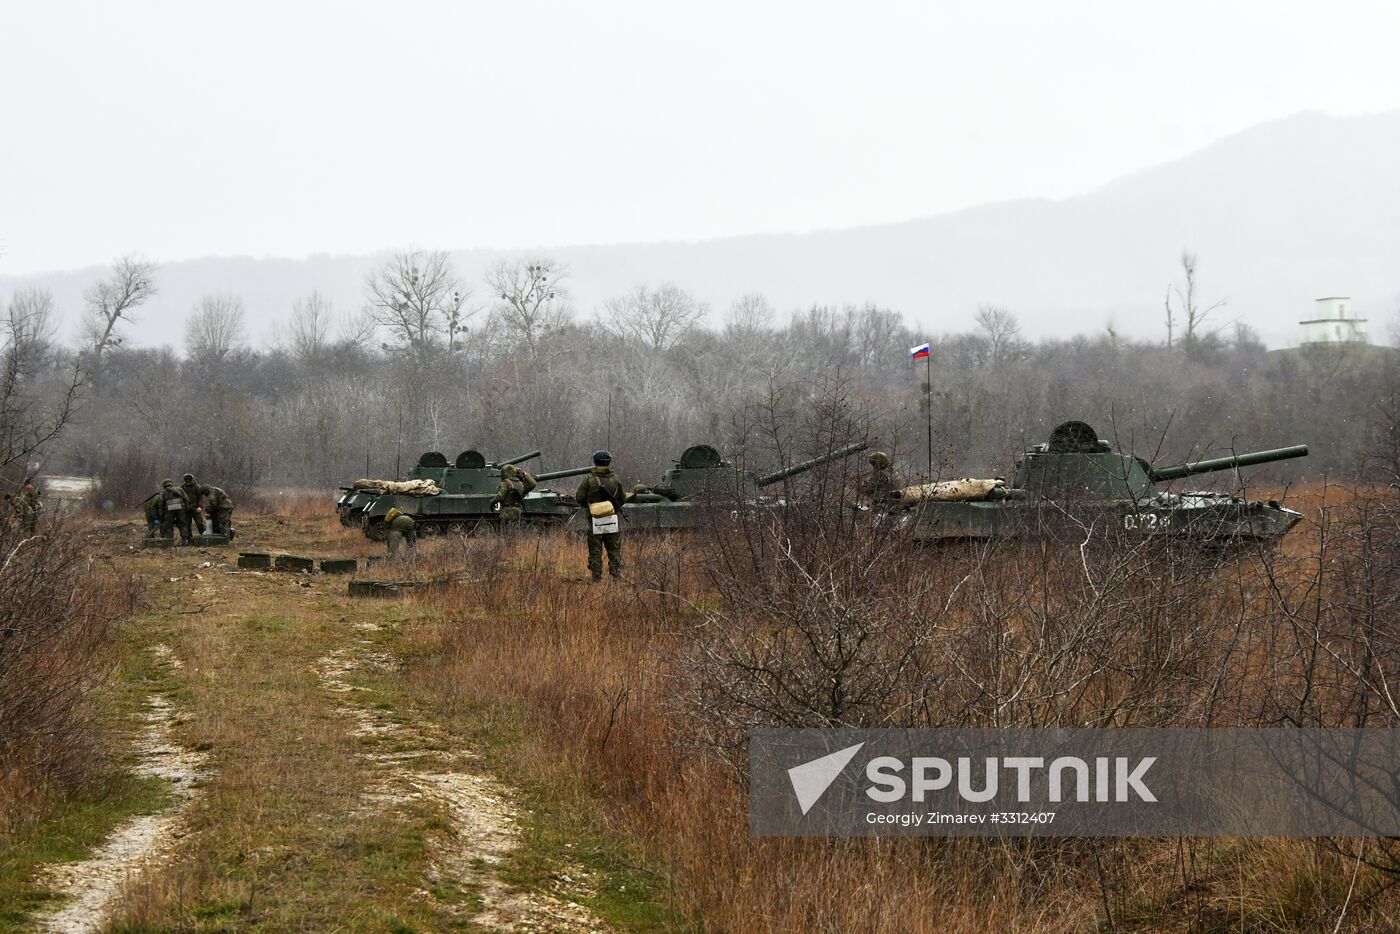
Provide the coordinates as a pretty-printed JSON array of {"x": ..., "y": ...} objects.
[{"x": 275, "y": 666}]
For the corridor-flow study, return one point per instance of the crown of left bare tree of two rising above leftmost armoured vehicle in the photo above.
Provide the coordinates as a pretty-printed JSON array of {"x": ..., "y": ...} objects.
[{"x": 421, "y": 300}]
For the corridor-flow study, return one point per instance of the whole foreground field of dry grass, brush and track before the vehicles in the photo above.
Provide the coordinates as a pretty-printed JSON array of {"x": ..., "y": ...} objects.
[{"x": 610, "y": 723}]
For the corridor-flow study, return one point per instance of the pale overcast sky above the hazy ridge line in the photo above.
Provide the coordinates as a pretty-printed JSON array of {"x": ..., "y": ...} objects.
[{"x": 190, "y": 130}]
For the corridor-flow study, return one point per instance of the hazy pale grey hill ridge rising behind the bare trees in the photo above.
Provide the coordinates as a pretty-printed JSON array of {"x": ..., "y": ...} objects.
[{"x": 1279, "y": 215}]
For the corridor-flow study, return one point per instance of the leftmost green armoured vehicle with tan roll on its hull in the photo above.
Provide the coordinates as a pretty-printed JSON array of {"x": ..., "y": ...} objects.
[{"x": 468, "y": 496}]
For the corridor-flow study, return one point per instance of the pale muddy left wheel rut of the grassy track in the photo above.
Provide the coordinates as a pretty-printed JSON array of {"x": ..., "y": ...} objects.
[{"x": 90, "y": 890}]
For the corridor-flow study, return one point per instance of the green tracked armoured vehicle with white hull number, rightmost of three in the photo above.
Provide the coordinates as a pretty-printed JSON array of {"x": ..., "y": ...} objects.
[{"x": 1077, "y": 478}]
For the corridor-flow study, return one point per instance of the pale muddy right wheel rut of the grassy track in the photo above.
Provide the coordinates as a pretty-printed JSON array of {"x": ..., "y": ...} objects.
[{"x": 415, "y": 761}]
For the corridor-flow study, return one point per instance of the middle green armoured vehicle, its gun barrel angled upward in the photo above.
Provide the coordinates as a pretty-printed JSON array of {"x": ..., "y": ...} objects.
[{"x": 703, "y": 478}]
